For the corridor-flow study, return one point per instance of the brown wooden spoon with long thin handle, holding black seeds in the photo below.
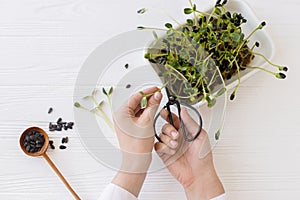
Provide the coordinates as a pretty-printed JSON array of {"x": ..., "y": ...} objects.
[{"x": 42, "y": 152}]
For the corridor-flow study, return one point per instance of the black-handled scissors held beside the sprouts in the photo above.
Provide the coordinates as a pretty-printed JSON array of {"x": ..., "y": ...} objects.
[{"x": 172, "y": 100}]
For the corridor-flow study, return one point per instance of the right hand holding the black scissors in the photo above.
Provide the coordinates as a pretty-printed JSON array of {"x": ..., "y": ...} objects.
[{"x": 191, "y": 163}]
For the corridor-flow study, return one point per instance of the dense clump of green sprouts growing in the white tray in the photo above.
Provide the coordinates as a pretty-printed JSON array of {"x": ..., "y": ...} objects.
[{"x": 206, "y": 52}]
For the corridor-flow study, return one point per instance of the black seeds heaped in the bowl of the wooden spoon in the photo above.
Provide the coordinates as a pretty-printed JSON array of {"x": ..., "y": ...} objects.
[{"x": 33, "y": 141}]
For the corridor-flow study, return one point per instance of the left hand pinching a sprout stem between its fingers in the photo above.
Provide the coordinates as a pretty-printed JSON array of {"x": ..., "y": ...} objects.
[{"x": 134, "y": 128}]
